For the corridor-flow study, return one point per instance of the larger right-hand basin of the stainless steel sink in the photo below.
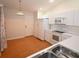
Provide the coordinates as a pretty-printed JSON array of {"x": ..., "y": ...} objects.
[{"x": 63, "y": 52}]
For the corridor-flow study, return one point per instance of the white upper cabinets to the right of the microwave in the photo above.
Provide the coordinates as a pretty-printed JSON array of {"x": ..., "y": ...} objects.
[{"x": 72, "y": 18}]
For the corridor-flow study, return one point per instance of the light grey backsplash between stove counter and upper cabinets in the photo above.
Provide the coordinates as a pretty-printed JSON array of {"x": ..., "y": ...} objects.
[{"x": 66, "y": 28}]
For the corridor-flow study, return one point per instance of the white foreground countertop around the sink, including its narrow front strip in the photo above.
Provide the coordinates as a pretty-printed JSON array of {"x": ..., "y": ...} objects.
[{"x": 71, "y": 43}]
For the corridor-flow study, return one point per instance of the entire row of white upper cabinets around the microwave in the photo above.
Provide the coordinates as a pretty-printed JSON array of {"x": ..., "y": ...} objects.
[{"x": 69, "y": 18}]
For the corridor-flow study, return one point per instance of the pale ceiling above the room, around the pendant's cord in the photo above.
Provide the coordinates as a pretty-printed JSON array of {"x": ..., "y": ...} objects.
[{"x": 30, "y": 5}]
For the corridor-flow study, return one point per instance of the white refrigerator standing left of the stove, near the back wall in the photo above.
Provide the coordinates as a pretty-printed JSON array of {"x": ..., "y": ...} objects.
[{"x": 43, "y": 25}]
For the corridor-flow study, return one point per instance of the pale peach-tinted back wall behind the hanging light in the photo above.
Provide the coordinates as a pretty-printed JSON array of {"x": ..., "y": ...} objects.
[{"x": 15, "y": 25}]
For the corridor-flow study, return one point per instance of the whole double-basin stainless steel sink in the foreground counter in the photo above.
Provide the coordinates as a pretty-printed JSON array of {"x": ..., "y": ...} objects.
[{"x": 58, "y": 52}]
